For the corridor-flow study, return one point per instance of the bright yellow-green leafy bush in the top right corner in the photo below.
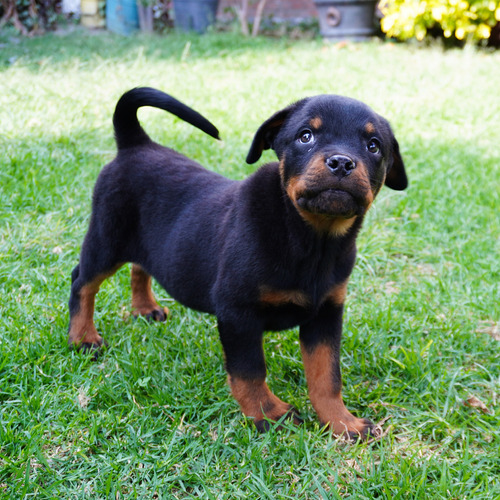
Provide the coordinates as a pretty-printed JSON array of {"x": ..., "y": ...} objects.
[{"x": 461, "y": 20}]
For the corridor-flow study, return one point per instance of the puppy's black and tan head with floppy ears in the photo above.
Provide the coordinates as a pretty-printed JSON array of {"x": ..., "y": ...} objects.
[{"x": 335, "y": 154}]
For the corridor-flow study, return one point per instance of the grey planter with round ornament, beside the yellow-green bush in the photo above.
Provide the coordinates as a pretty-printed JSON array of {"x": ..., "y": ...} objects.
[{"x": 347, "y": 19}]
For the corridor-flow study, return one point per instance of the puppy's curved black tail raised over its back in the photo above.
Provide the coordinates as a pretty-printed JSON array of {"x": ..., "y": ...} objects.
[{"x": 128, "y": 131}]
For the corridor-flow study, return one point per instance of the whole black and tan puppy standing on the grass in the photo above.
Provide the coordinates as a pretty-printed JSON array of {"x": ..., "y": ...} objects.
[{"x": 268, "y": 253}]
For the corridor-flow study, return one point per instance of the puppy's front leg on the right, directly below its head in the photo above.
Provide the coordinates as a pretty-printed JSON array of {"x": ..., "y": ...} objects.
[{"x": 320, "y": 345}]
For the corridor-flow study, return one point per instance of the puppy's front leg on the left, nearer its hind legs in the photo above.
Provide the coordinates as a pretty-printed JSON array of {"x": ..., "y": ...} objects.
[{"x": 246, "y": 369}]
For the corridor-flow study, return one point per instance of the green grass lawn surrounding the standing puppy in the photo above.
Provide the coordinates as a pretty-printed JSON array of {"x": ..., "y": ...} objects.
[{"x": 153, "y": 417}]
